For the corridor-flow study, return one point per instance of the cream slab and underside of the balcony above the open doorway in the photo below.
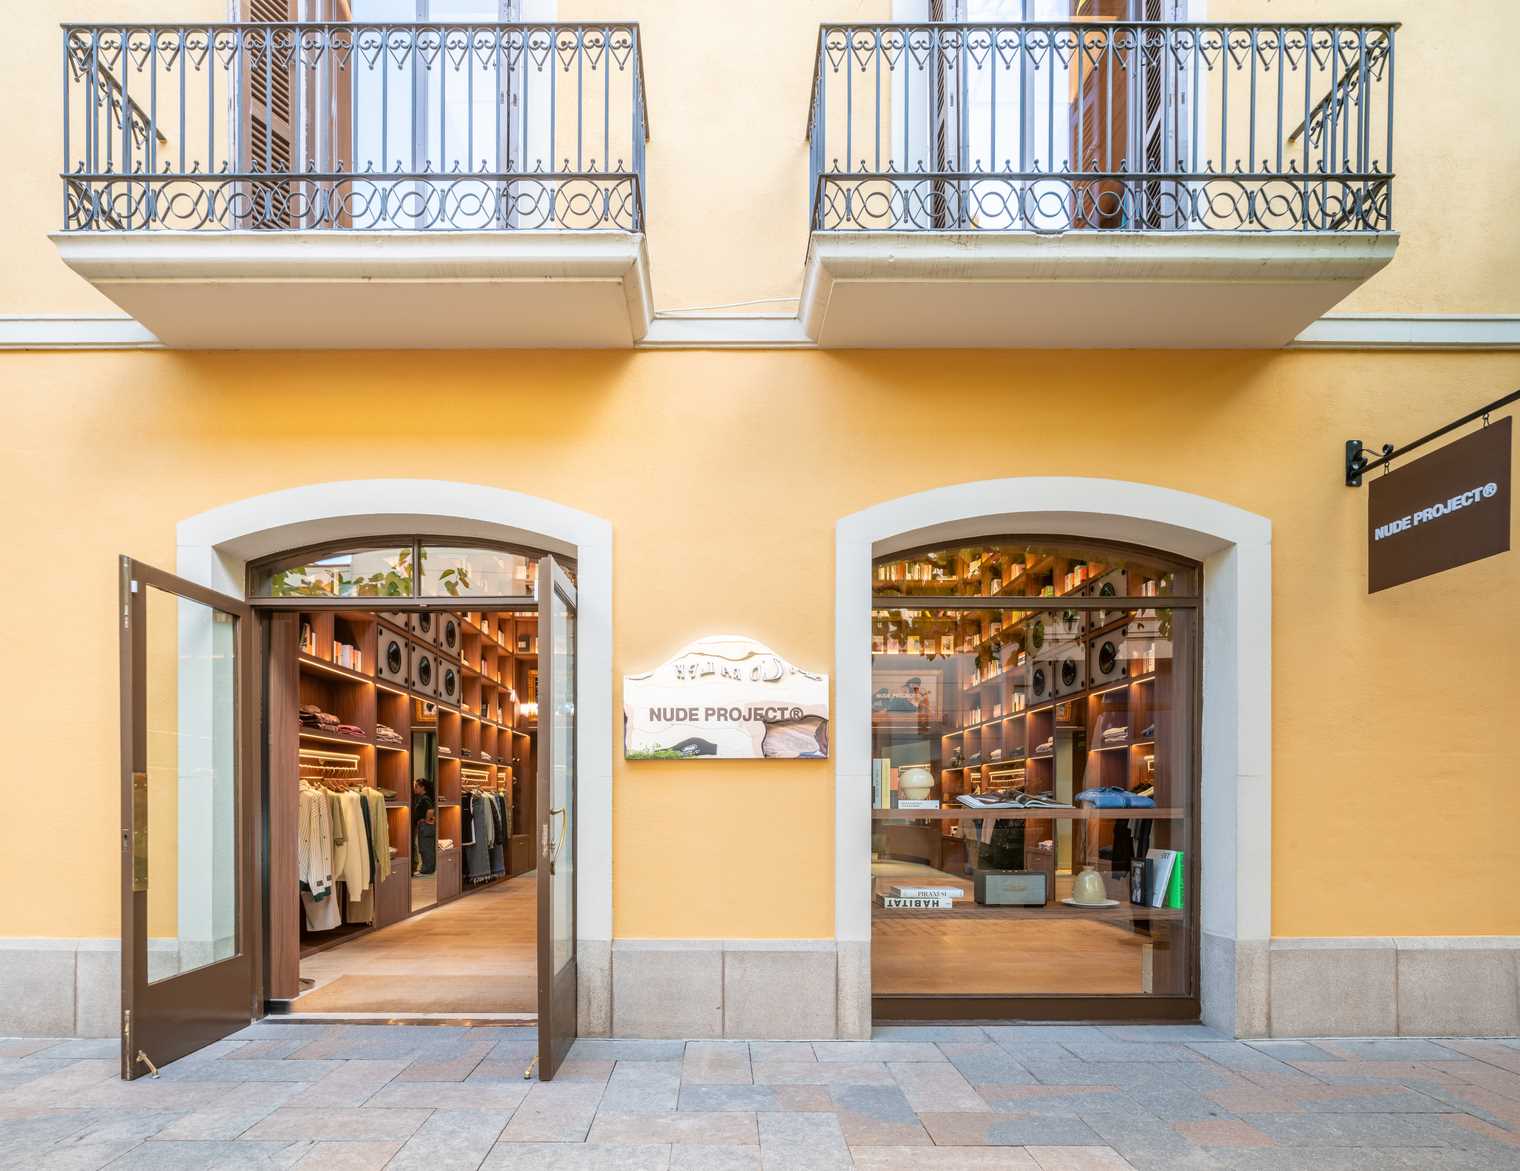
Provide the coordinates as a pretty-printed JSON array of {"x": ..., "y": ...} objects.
[{"x": 373, "y": 290}]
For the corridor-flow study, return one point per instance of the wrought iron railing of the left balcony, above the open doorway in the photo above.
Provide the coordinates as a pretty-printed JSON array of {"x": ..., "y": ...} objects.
[{"x": 353, "y": 127}]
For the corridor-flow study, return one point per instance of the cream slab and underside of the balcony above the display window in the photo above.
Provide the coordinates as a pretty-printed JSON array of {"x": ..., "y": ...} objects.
[{"x": 1080, "y": 291}]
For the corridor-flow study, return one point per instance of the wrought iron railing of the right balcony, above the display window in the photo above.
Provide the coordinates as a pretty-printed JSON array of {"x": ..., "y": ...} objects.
[{"x": 1088, "y": 125}]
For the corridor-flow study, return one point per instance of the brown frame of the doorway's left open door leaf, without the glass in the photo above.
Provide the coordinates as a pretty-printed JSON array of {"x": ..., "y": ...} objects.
[{"x": 177, "y": 1017}]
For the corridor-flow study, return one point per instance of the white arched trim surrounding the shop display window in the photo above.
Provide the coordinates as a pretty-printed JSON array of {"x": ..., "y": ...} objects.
[{"x": 1237, "y": 551}]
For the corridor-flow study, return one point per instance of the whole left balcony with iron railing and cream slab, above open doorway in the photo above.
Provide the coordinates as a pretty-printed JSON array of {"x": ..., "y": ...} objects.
[{"x": 361, "y": 186}]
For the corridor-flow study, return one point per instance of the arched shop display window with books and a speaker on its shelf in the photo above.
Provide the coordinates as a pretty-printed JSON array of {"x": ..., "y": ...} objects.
[{"x": 1034, "y": 778}]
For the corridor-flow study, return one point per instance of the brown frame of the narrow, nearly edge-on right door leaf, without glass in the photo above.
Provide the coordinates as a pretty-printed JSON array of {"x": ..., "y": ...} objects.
[{"x": 557, "y": 991}]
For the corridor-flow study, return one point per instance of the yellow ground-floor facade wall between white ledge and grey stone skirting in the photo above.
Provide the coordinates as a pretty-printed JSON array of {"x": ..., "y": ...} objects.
[{"x": 724, "y": 475}]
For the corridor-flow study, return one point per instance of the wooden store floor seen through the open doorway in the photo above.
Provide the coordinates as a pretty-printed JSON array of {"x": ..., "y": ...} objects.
[{"x": 475, "y": 954}]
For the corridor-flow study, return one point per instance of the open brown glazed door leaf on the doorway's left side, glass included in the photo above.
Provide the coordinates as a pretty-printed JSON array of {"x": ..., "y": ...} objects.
[{"x": 189, "y": 819}]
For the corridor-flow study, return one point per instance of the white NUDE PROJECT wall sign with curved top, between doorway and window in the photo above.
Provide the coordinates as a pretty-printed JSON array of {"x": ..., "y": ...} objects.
[{"x": 726, "y": 699}]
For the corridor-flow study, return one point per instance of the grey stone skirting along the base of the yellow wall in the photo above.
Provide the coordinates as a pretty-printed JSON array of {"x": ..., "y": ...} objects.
[{"x": 822, "y": 989}]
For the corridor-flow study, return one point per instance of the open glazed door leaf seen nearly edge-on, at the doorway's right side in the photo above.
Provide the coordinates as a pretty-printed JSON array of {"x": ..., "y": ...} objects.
[{"x": 557, "y": 808}]
